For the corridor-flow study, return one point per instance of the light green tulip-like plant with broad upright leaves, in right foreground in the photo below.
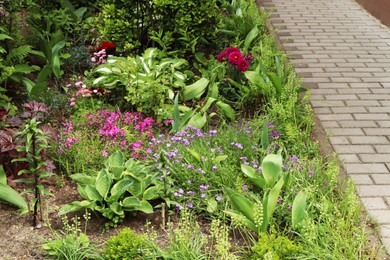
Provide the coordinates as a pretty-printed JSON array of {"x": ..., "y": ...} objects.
[{"x": 257, "y": 215}]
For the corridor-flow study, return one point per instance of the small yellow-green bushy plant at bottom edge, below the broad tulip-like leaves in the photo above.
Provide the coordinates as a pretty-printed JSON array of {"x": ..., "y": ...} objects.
[{"x": 275, "y": 246}]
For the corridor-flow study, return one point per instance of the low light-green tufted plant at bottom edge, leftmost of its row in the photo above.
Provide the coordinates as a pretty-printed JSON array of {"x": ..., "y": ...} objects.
[{"x": 70, "y": 244}]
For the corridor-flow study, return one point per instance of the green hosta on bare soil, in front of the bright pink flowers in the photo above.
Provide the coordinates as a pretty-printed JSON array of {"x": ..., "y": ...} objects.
[{"x": 119, "y": 187}]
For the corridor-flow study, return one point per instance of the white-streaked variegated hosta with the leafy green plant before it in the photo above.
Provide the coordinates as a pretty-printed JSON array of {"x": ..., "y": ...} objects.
[{"x": 150, "y": 80}]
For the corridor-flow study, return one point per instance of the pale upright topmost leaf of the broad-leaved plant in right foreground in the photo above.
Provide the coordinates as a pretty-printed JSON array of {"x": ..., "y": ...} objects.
[{"x": 272, "y": 168}]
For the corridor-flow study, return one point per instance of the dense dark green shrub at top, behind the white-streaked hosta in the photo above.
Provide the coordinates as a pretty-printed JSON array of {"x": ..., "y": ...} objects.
[{"x": 177, "y": 26}]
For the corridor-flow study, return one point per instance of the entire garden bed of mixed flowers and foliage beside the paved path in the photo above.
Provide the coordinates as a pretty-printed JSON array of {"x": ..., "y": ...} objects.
[{"x": 202, "y": 134}]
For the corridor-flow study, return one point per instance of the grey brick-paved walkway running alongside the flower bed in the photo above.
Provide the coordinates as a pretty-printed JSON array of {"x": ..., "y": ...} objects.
[{"x": 343, "y": 55}]
